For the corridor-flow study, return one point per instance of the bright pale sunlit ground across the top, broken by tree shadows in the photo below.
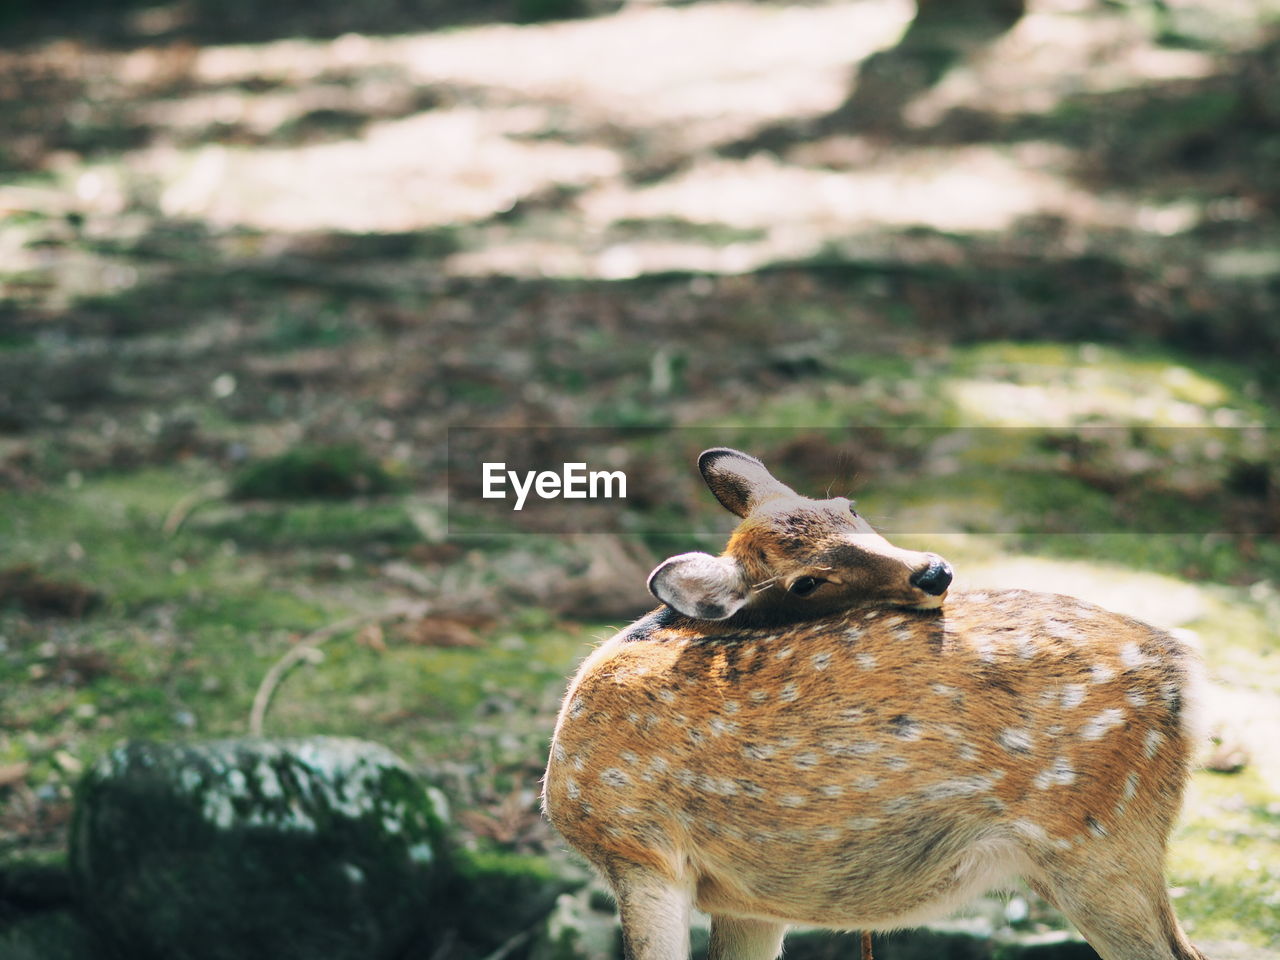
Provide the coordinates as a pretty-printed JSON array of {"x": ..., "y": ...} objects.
[{"x": 612, "y": 129}]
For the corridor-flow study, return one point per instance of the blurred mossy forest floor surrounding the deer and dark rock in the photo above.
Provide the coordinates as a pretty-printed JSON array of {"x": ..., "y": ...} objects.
[{"x": 257, "y": 260}]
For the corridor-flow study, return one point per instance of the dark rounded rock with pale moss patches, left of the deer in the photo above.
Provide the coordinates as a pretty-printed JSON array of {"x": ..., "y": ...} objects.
[{"x": 244, "y": 849}]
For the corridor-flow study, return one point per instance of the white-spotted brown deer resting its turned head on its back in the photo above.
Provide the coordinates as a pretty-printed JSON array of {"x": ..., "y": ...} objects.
[{"x": 811, "y": 732}]
